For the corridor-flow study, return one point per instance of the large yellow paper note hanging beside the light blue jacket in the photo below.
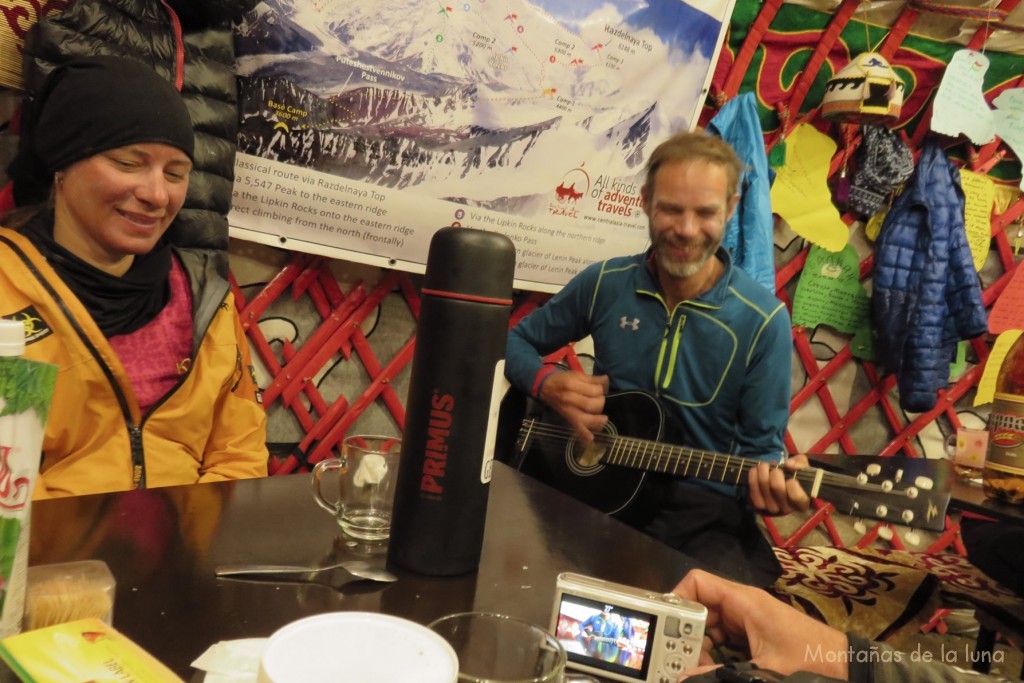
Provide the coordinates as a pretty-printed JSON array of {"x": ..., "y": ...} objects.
[{"x": 801, "y": 195}]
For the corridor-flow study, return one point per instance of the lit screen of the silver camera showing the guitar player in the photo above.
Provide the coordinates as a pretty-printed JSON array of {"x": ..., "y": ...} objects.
[{"x": 606, "y": 636}]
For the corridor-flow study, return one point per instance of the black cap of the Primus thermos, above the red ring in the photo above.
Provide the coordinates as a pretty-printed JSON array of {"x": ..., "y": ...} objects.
[{"x": 471, "y": 263}]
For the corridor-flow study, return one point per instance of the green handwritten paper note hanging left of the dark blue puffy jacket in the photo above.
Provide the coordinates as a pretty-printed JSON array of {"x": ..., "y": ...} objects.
[{"x": 830, "y": 292}]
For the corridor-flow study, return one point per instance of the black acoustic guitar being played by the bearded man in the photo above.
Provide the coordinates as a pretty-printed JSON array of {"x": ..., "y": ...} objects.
[{"x": 611, "y": 475}]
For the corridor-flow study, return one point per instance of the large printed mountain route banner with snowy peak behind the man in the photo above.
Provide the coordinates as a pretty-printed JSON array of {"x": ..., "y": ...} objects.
[{"x": 368, "y": 126}]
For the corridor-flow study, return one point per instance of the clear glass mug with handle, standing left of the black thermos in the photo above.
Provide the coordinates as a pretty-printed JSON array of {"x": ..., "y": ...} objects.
[{"x": 368, "y": 473}]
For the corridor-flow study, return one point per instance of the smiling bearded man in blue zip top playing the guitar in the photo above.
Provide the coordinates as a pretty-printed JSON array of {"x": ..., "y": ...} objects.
[{"x": 681, "y": 323}]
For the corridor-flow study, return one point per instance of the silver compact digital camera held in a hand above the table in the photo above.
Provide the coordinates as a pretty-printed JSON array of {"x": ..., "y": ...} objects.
[{"x": 624, "y": 633}]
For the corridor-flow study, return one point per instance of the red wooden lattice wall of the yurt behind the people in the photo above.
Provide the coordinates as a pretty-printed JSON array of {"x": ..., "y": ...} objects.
[{"x": 343, "y": 314}]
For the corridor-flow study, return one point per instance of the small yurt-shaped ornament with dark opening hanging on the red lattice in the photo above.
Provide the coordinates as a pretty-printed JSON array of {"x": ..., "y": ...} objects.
[{"x": 867, "y": 91}]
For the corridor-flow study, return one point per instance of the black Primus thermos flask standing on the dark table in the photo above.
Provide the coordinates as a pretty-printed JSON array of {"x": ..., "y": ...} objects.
[{"x": 449, "y": 439}]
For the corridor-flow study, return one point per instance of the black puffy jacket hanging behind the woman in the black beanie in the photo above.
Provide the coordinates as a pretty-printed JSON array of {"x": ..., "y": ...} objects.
[{"x": 191, "y": 44}]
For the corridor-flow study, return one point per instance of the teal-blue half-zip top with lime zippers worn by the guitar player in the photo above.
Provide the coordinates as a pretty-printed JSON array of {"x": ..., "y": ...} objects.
[{"x": 720, "y": 363}]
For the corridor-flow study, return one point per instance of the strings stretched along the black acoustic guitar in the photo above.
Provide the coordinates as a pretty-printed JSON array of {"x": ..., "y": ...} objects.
[{"x": 650, "y": 449}]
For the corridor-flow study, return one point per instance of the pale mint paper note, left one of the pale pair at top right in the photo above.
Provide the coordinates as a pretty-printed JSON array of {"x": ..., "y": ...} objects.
[{"x": 960, "y": 105}]
